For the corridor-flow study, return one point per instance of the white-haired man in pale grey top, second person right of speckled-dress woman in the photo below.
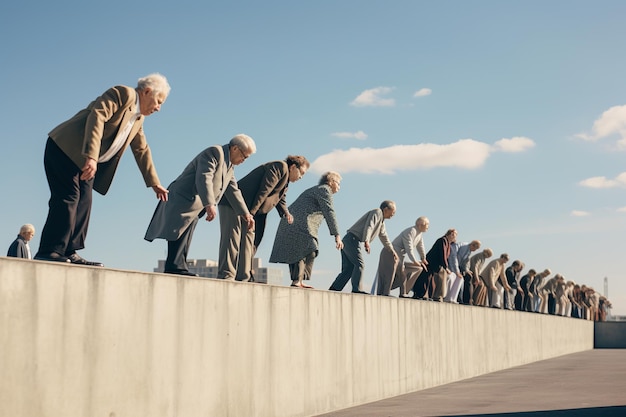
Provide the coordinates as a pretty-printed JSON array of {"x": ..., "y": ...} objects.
[{"x": 391, "y": 274}]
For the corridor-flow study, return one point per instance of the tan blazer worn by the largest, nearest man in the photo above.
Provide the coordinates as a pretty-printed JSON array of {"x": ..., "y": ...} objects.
[{"x": 90, "y": 133}]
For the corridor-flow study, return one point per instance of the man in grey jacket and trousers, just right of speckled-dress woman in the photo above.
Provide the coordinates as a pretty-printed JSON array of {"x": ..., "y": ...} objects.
[{"x": 370, "y": 225}]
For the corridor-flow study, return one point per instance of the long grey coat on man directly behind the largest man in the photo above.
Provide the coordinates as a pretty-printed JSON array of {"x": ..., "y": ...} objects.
[{"x": 205, "y": 180}]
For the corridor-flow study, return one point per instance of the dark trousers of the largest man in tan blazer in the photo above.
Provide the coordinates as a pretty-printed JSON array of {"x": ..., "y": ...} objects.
[{"x": 66, "y": 226}]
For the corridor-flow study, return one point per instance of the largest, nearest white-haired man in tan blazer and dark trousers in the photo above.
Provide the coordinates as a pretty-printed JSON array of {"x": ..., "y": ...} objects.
[{"x": 83, "y": 153}]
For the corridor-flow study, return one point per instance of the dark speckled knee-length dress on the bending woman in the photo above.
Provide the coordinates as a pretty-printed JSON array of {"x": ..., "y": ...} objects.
[{"x": 295, "y": 241}]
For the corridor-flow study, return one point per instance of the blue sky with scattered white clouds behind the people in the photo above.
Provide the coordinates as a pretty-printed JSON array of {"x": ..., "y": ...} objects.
[{"x": 504, "y": 120}]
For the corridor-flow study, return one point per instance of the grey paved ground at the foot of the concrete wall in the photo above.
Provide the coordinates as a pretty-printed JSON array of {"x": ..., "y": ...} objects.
[{"x": 591, "y": 383}]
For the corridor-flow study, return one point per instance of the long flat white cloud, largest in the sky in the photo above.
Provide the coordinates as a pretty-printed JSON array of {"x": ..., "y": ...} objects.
[{"x": 465, "y": 154}]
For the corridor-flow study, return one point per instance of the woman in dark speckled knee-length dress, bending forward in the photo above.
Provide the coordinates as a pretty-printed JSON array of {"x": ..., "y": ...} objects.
[{"x": 296, "y": 243}]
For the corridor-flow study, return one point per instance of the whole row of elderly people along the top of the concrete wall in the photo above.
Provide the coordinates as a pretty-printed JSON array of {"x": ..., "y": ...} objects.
[{"x": 82, "y": 155}]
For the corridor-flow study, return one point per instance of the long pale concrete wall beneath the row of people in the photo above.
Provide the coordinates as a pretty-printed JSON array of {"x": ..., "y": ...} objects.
[{"x": 79, "y": 341}]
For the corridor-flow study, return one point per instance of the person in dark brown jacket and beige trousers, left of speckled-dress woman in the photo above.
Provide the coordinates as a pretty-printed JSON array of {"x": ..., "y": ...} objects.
[{"x": 263, "y": 189}]
